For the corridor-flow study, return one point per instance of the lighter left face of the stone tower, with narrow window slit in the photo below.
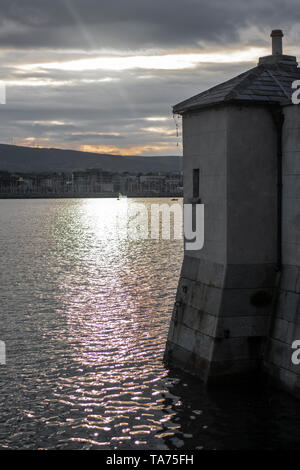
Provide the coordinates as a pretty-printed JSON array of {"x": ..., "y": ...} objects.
[{"x": 194, "y": 321}]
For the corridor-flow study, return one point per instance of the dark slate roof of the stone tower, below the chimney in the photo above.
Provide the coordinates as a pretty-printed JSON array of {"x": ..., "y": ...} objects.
[{"x": 269, "y": 82}]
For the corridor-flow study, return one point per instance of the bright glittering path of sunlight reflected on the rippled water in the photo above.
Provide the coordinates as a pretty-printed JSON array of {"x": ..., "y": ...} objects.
[{"x": 114, "y": 318}]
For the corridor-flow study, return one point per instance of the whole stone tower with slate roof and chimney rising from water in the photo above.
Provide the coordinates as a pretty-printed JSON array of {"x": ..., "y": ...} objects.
[{"x": 236, "y": 309}]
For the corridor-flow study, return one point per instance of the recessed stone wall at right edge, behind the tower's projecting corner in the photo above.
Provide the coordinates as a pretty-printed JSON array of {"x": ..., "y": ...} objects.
[{"x": 285, "y": 326}]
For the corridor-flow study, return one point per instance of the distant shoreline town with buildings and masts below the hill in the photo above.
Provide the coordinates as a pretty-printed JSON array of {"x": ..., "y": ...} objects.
[{"x": 90, "y": 183}]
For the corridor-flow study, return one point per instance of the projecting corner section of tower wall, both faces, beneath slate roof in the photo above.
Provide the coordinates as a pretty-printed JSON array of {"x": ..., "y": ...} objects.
[{"x": 226, "y": 290}]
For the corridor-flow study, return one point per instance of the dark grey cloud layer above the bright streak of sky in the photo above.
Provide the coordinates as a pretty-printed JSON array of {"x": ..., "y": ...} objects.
[{"x": 136, "y": 23}]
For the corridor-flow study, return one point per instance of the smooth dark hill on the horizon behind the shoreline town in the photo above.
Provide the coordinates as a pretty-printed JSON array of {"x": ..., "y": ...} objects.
[{"x": 38, "y": 160}]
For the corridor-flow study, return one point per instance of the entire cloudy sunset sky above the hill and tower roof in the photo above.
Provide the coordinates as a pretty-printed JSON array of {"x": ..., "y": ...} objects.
[{"x": 102, "y": 76}]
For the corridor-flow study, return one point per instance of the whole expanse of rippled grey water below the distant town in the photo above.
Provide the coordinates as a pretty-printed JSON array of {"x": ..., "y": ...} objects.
[{"x": 85, "y": 316}]
